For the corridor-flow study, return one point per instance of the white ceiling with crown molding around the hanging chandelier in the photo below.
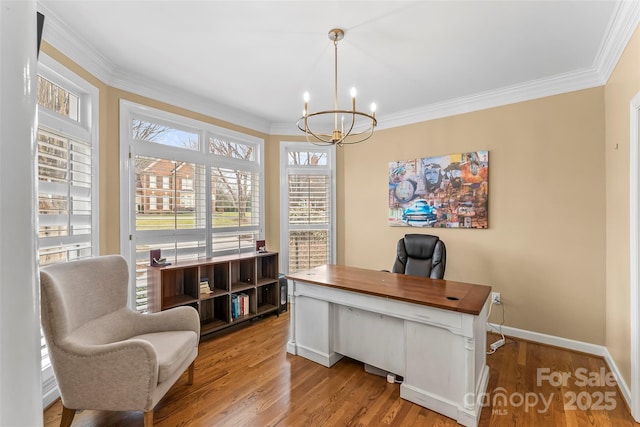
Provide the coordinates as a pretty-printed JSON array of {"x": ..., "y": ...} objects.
[{"x": 250, "y": 61}]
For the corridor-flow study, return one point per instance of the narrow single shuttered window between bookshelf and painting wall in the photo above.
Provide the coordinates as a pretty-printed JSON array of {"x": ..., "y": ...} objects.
[{"x": 307, "y": 206}]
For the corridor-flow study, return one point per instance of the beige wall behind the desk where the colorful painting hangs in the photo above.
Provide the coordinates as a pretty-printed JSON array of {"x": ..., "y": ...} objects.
[{"x": 544, "y": 247}]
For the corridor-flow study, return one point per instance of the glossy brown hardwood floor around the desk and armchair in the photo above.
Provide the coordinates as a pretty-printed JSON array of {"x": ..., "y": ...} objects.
[{"x": 246, "y": 378}]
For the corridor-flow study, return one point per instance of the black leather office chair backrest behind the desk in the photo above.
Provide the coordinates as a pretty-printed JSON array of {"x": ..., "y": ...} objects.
[{"x": 421, "y": 255}]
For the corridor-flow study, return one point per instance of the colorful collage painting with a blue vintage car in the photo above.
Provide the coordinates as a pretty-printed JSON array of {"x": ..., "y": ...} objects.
[{"x": 448, "y": 191}]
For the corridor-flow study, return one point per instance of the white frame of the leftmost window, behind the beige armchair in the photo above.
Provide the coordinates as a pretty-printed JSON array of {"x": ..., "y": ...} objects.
[{"x": 86, "y": 128}]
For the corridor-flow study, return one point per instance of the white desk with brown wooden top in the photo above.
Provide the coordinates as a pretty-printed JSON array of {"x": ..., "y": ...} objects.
[{"x": 431, "y": 332}]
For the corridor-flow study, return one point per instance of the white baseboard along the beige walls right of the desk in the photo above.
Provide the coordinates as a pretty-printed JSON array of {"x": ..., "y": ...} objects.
[{"x": 569, "y": 344}]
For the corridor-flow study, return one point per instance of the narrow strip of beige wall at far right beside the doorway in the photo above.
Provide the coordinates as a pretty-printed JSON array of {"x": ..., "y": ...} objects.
[{"x": 622, "y": 86}]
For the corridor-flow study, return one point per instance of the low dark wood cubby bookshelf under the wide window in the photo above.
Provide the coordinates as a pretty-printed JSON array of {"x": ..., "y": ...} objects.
[{"x": 253, "y": 274}]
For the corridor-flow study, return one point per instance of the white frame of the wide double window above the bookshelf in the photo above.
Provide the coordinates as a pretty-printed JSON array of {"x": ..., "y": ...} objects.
[{"x": 129, "y": 150}]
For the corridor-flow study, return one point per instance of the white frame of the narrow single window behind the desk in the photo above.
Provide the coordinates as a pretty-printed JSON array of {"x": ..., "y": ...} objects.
[{"x": 287, "y": 147}]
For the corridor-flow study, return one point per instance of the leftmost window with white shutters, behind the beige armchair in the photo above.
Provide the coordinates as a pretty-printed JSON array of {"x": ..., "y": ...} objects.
[{"x": 67, "y": 159}]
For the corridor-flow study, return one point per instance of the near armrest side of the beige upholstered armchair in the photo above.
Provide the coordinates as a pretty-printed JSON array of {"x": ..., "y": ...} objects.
[{"x": 116, "y": 376}]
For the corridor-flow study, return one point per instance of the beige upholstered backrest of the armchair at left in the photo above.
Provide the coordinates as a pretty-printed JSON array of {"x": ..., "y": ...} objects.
[{"x": 77, "y": 292}]
